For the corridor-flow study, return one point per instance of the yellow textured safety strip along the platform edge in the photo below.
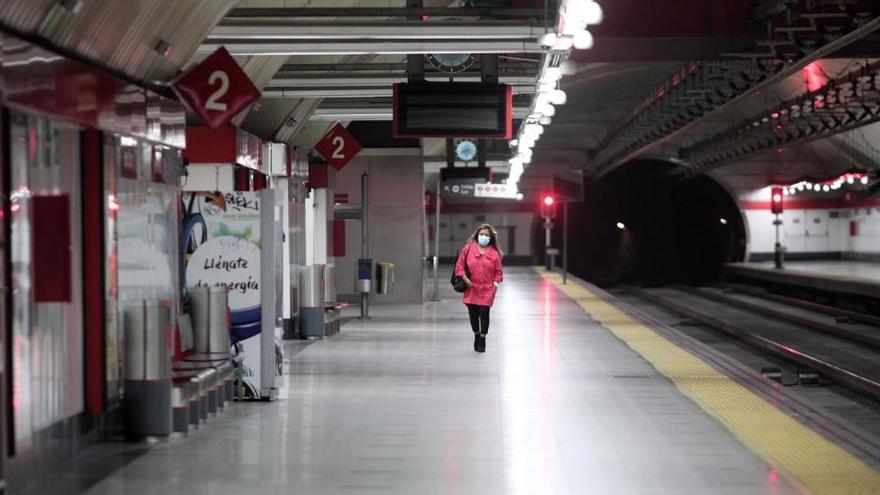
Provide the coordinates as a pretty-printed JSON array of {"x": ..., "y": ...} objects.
[{"x": 819, "y": 465}]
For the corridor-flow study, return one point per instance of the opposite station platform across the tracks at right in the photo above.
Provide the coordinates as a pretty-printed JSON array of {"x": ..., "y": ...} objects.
[{"x": 839, "y": 276}]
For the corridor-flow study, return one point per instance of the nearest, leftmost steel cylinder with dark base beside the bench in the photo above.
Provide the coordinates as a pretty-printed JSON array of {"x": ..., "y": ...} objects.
[{"x": 147, "y": 410}]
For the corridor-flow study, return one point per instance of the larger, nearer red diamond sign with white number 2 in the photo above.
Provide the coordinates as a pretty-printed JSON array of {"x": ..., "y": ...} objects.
[{"x": 216, "y": 89}]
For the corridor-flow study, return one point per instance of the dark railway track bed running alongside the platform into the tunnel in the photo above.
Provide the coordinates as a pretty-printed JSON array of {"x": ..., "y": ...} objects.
[{"x": 840, "y": 345}]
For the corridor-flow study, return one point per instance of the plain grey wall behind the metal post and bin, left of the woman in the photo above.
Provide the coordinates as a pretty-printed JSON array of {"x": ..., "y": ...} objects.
[{"x": 396, "y": 220}]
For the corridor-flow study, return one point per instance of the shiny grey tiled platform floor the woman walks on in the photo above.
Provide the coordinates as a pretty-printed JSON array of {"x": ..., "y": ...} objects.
[{"x": 402, "y": 404}]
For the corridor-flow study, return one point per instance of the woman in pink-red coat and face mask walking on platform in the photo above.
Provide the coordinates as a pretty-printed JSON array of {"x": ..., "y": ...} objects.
[{"x": 482, "y": 256}]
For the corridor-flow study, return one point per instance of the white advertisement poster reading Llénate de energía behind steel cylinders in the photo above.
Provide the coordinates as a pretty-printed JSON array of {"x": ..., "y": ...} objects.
[{"x": 220, "y": 245}]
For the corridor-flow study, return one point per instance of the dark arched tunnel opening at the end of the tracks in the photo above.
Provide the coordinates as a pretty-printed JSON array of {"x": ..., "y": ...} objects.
[{"x": 642, "y": 225}]
